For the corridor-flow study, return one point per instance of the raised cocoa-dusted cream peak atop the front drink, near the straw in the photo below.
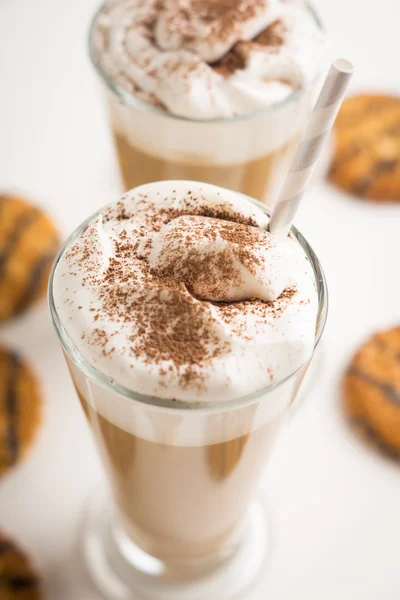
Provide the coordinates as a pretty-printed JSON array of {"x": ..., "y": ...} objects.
[{"x": 220, "y": 260}]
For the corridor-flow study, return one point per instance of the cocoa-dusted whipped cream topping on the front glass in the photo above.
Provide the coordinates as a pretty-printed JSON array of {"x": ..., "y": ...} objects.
[{"x": 177, "y": 291}]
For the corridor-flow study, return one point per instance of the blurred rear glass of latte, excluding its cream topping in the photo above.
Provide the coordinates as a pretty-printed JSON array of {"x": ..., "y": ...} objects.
[{"x": 249, "y": 153}]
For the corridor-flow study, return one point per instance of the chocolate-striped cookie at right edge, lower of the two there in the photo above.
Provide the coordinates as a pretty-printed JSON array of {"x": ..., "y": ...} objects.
[{"x": 372, "y": 389}]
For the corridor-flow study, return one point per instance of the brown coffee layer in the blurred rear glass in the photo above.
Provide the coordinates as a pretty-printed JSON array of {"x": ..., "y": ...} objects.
[{"x": 251, "y": 178}]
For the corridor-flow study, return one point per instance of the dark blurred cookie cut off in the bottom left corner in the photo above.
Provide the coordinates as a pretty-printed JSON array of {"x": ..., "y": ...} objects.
[{"x": 18, "y": 580}]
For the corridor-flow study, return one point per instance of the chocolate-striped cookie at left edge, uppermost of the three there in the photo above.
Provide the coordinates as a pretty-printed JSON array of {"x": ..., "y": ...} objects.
[{"x": 28, "y": 245}]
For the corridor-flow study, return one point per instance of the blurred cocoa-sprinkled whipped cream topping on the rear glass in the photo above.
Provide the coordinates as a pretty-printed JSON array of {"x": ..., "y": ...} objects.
[{"x": 206, "y": 59}]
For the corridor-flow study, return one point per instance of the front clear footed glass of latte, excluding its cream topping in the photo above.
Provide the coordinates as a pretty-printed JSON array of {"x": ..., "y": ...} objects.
[{"x": 183, "y": 522}]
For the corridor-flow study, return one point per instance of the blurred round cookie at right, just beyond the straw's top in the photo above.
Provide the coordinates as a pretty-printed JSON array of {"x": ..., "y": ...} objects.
[{"x": 366, "y": 159}]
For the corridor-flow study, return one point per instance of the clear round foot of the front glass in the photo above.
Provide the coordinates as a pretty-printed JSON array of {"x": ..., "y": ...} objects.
[{"x": 122, "y": 571}]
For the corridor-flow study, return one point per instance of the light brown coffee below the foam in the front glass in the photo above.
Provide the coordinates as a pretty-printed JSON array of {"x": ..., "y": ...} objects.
[{"x": 182, "y": 504}]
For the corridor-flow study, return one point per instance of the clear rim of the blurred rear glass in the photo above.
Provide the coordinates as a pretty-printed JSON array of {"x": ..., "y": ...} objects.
[{"x": 133, "y": 101}]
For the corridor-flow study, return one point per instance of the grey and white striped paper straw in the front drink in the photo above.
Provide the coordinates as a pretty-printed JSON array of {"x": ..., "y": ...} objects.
[{"x": 309, "y": 150}]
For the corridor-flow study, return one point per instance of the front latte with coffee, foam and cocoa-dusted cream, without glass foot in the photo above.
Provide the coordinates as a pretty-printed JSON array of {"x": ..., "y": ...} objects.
[{"x": 193, "y": 326}]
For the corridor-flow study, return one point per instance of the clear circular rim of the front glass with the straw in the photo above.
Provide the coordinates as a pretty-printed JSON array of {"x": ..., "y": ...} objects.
[{"x": 108, "y": 383}]
